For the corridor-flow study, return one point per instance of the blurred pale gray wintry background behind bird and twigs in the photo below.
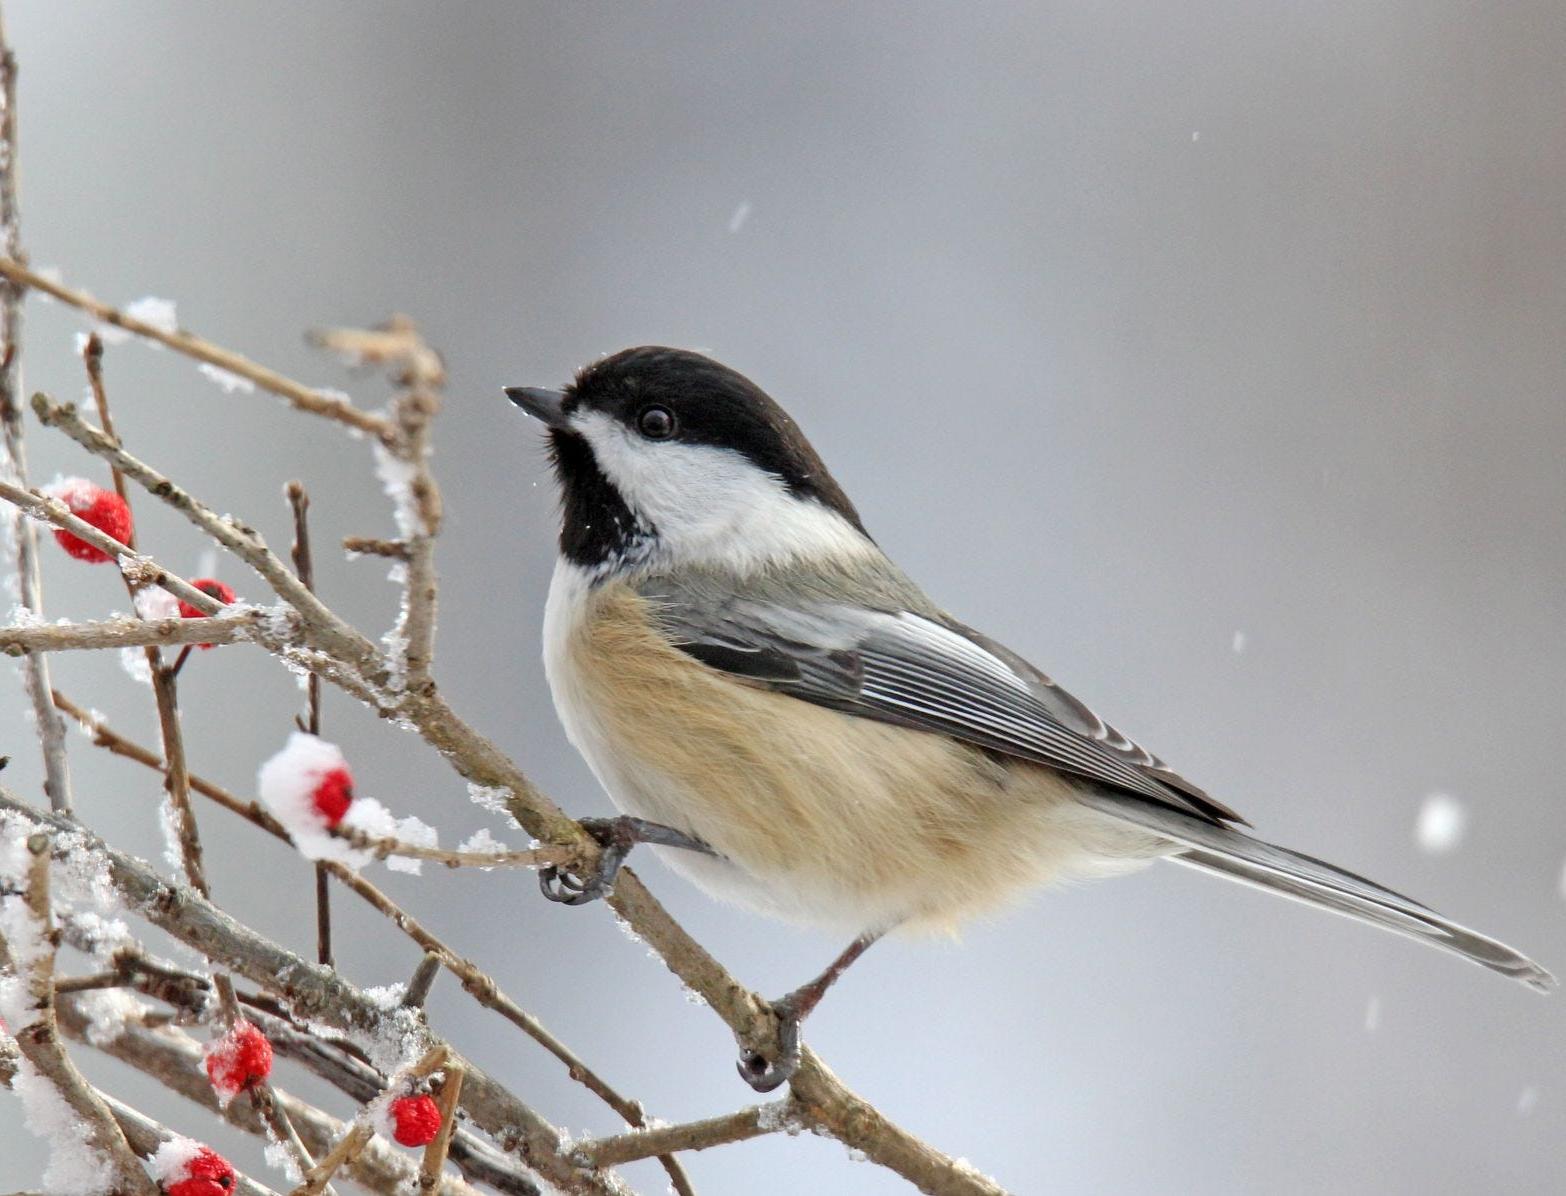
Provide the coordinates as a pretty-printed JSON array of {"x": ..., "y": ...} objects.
[{"x": 1128, "y": 328}]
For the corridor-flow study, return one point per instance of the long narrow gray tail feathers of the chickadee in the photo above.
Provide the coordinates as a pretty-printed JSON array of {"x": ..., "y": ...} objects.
[{"x": 1315, "y": 882}]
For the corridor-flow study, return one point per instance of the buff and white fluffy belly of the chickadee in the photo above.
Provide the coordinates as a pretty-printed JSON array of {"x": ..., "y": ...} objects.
[{"x": 820, "y": 816}]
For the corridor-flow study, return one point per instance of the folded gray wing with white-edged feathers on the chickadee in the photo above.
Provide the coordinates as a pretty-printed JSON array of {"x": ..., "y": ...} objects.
[{"x": 915, "y": 671}]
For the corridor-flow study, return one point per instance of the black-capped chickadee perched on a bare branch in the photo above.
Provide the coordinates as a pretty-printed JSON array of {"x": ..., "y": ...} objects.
[{"x": 798, "y": 729}]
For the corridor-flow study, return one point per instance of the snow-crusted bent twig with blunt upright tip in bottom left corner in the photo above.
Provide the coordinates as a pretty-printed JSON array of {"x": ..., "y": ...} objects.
[{"x": 40, "y": 1039}]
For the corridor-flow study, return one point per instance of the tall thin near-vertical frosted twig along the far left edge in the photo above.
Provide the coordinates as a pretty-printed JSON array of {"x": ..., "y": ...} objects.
[{"x": 13, "y": 458}]
